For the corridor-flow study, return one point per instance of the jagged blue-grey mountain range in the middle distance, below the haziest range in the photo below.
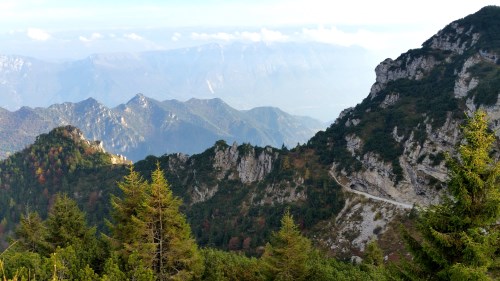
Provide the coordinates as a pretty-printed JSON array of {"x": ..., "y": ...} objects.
[{"x": 145, "y": 126}]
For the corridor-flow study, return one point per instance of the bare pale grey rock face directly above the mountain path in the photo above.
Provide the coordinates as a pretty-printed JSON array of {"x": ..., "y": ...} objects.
[{"x": 418, "y": 162}]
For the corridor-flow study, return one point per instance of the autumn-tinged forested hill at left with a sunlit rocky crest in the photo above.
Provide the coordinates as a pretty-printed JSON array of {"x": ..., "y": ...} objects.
[{"x": 62, "y": 161}]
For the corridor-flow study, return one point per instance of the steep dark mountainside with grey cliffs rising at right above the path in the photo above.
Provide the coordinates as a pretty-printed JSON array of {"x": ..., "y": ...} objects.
[{"x": 399, "y": 134}]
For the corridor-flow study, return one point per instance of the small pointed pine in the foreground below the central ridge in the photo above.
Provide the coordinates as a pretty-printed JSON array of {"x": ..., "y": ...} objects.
[{"x": 287, "y": 255}]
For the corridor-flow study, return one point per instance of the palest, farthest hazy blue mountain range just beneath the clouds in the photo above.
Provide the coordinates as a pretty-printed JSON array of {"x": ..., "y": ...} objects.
[{"x": 301, "y": 77}]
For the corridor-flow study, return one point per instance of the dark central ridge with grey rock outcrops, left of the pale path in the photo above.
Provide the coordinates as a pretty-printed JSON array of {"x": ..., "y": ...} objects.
[{"x": 235, "y": 195}]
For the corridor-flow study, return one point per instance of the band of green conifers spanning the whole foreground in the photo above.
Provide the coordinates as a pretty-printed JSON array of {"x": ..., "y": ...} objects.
[{"x": 149, "y": 238}]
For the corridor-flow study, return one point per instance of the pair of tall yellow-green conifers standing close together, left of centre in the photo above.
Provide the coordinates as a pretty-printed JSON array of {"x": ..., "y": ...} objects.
[{"x": 154, "y": 234}]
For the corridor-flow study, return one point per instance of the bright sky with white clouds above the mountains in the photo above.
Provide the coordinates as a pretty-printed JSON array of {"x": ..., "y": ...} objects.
[{"x": 58, "y": 30}]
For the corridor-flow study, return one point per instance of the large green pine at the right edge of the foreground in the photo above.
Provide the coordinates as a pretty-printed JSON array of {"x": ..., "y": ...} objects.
[{"x": 460, "y": 237}]
